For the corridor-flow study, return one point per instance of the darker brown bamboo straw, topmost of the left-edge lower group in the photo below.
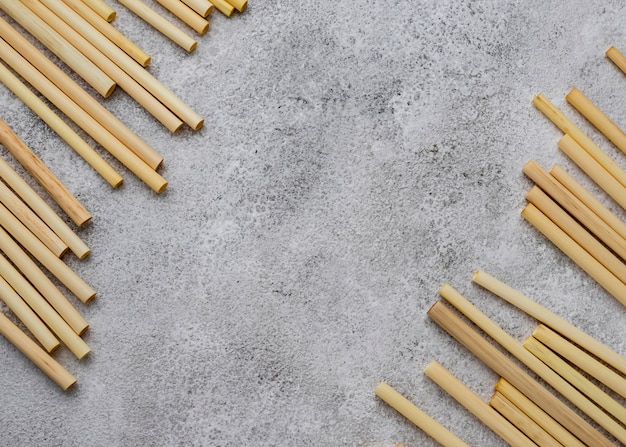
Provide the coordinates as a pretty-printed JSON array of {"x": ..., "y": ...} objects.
[{"x": 43, "y": 175}]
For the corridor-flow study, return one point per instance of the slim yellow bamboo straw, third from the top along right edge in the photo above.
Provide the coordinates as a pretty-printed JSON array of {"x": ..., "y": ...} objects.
[{"x": 566, "y": 126}]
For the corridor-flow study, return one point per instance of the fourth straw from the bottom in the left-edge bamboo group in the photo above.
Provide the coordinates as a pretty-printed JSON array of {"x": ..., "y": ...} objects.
[{"x": 42, "y": 283}]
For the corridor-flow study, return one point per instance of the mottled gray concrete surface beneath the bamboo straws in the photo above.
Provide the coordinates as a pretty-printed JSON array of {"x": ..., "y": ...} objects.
[{"x": 356, "y": 155}]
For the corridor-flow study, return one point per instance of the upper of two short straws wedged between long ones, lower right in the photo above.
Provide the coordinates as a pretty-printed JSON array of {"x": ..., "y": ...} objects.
[{"x": 581, "y": 359}]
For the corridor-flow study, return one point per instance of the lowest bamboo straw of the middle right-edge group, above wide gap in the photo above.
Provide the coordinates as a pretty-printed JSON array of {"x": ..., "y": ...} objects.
[{"x": 576, "y": 253}]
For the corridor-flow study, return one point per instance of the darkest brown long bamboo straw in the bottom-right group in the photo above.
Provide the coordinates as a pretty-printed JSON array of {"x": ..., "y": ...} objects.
[{"x": 505, "y": 367}]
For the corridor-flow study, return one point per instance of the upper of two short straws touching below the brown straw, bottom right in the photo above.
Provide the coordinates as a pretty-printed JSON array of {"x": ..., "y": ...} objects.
[{"x": 533, "y": 411}]
